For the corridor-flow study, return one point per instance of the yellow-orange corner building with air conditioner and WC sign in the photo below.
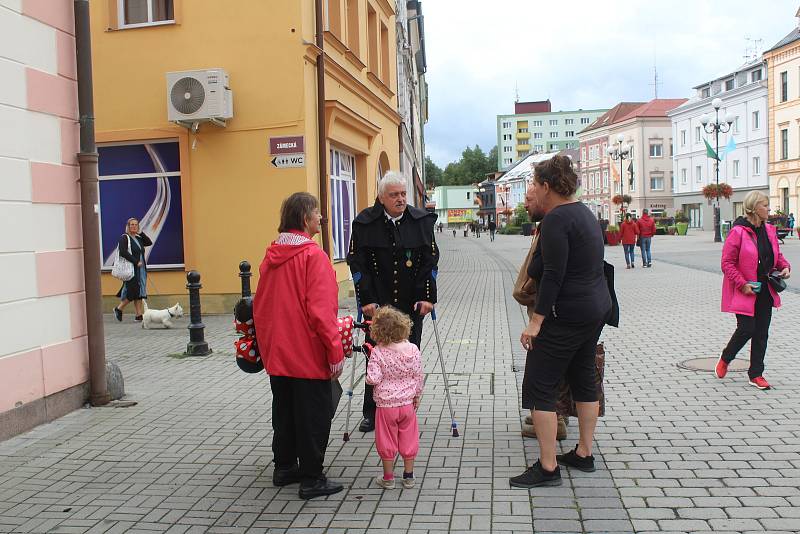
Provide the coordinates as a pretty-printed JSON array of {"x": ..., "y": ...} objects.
[{"x": 226, "y": 182}]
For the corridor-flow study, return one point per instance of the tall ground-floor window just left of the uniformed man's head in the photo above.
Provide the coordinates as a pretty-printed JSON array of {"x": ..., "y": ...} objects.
[{"x": 343, "y": 200}]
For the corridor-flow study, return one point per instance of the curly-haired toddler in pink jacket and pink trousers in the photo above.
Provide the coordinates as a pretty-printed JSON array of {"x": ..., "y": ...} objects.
[{"x": 395, "y": 369}]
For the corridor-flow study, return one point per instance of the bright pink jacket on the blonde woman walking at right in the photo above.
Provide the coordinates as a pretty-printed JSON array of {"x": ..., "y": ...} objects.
[{"x": 740, "y": 265}]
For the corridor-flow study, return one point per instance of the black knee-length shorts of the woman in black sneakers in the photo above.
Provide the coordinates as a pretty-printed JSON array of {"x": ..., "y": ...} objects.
[{"x": 561, "y": 351}]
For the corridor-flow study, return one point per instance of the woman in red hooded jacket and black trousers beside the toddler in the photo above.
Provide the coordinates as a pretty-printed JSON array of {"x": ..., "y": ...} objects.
[{"x": 294, "y": 312}]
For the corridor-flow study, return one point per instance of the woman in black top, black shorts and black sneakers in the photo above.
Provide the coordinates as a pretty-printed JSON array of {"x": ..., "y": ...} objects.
[{"x": 573, "y": 302}]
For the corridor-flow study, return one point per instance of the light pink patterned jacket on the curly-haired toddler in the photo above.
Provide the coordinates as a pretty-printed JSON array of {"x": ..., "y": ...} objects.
[{"x": 396, "y": 372}]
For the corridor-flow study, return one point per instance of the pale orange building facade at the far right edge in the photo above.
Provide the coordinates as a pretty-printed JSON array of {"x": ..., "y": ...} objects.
[{"x": 783, "y": 86}]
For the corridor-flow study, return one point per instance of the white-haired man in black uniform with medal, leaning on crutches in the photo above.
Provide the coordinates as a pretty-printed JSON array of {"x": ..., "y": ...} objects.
[{"x": 393, "y": 257}]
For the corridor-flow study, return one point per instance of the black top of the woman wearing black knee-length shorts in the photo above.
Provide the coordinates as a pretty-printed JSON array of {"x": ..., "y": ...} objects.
[{"x": 568, "y": 263}]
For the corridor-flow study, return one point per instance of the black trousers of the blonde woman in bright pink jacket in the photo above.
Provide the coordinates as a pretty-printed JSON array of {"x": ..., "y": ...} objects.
[{"x": 754, "y": 329}]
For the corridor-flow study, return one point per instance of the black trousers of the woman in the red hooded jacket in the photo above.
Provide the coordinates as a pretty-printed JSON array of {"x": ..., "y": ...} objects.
[{"x": 301, "y": 423}]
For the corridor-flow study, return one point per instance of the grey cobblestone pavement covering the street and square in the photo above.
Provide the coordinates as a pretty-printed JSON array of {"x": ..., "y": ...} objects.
[{"x": 678, "y": 450}]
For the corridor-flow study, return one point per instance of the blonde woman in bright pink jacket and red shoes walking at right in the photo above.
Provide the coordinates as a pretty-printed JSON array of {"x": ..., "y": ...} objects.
[{"x": 750, "y": 255}]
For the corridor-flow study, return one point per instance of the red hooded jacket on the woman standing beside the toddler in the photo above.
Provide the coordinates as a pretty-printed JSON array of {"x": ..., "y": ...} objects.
[{"x": 295, "y": 310}]
